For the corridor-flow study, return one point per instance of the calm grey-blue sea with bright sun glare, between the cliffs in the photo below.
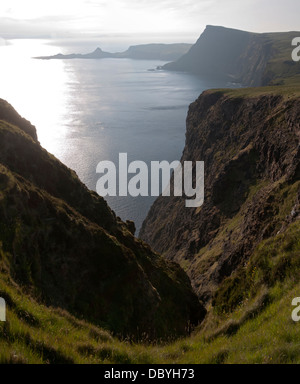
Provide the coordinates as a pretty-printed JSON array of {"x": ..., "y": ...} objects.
[{"x": 87, "y": 111}]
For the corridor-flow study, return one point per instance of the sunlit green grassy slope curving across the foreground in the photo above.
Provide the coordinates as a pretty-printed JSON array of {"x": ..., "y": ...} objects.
[{"x": 259, "y": 331}]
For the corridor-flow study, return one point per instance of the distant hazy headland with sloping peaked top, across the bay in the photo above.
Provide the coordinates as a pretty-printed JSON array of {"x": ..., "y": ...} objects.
[{"x": 252, "y": 59}]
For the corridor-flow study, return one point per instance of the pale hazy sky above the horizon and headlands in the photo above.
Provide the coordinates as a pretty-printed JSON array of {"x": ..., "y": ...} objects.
[{"x": 163, "y": 19}]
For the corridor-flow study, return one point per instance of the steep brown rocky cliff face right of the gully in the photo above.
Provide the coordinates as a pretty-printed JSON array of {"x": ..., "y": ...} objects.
[{"x": 250, "y": 143}]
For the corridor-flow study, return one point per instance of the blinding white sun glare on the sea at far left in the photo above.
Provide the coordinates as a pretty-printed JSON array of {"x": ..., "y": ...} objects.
[{"x": 36, "y": 89}]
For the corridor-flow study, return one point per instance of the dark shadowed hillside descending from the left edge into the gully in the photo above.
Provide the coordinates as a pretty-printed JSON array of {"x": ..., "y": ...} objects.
[{"x": 65, "y": 247}]
